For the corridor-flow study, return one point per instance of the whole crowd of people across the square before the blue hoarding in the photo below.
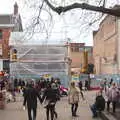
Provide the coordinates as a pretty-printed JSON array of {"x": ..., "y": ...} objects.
[{"x": 48, "y": 93}]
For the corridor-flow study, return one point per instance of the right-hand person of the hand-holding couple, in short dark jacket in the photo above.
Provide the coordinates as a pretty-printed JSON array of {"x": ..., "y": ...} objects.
[{"x": 51, "y": 95}]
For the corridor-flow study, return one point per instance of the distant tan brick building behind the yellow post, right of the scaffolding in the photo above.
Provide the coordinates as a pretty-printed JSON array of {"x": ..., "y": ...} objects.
[{"x": 77, "y": 55}]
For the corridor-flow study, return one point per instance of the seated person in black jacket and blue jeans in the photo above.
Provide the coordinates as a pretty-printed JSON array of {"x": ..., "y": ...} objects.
[{"x": 98, "y": 105}]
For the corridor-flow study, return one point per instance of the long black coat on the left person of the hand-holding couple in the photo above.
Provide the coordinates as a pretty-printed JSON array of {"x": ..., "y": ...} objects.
[{"x": 30, "y": 97}]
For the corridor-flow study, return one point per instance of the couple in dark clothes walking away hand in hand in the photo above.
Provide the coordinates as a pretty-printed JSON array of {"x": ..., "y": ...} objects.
[{"x": 49, "y": 97}]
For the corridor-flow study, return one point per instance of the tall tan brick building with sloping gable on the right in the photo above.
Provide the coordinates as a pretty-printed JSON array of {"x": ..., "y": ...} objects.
[{"x": 106, "y": 46}]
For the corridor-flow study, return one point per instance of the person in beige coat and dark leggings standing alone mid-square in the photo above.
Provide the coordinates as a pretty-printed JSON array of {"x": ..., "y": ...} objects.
[{"x": 73, "y": 98}]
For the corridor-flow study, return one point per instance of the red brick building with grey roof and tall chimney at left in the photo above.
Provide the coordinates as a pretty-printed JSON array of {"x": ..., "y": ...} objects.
[{"x": 8, "y": 23}]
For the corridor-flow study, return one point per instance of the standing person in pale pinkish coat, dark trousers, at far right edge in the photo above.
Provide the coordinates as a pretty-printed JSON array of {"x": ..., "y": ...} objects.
[{"x": 113, "y": 95}]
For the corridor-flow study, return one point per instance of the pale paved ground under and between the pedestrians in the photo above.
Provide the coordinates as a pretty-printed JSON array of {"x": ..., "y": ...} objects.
[{"x": 14, "y": 110}]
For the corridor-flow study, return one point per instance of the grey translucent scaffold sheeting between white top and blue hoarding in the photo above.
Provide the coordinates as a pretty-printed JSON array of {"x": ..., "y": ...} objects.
[{"x": 36, "y": 60}]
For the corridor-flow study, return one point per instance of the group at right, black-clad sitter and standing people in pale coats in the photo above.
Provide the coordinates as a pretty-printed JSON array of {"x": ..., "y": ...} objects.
[{"x": 109, "y": 93}]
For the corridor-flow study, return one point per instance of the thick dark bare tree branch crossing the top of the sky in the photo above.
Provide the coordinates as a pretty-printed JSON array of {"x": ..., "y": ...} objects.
[{"x": 60, "y": 9}]
